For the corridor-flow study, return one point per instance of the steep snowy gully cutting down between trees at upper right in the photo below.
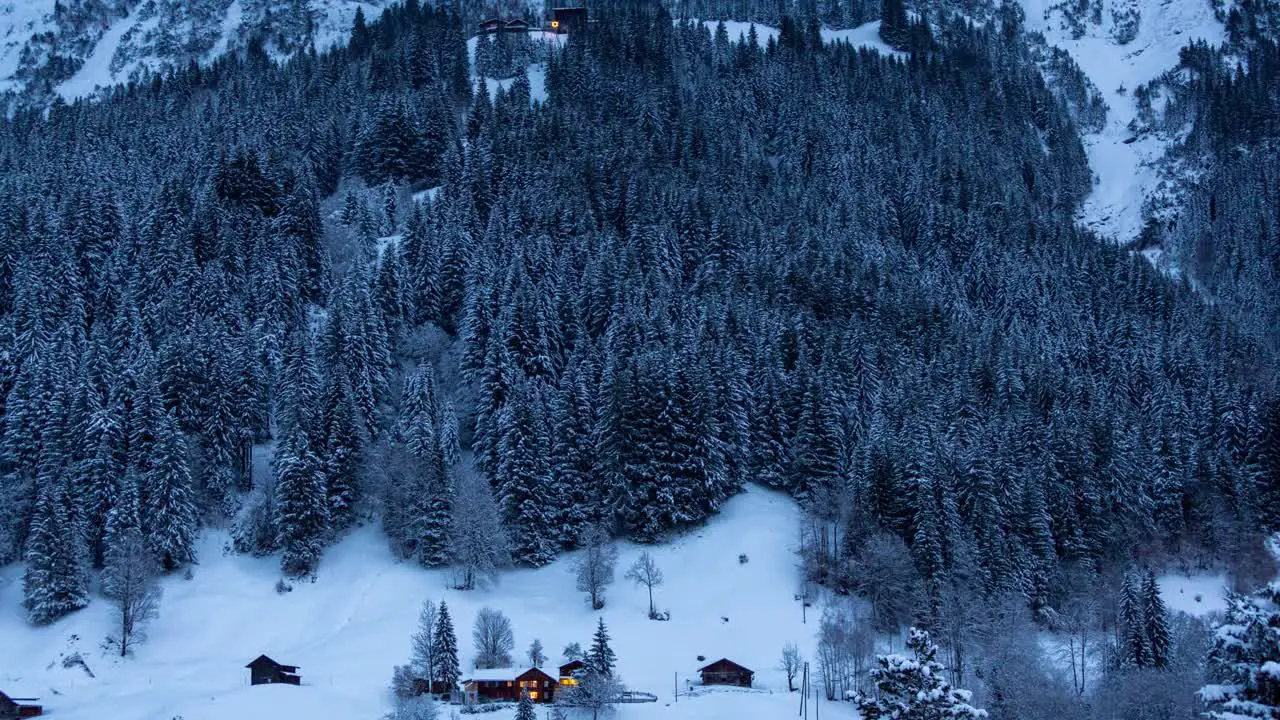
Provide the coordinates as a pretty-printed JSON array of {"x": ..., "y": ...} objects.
[{"x": 1123, "y": 44}]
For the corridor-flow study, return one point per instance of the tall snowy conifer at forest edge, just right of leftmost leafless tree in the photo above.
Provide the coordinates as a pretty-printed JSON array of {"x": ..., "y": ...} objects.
[{"x": 170, "y": 511}]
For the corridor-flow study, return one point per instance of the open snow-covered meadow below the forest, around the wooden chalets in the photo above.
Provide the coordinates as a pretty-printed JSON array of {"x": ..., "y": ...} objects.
[{"x": 349, "y": 628}]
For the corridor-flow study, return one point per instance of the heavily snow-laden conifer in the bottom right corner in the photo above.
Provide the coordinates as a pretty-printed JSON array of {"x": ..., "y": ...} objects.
[{"x": 1245, "y": 659}]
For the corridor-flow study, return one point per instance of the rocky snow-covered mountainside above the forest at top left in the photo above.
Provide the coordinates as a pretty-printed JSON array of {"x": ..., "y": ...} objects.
[{"x": 76, "y": 47}]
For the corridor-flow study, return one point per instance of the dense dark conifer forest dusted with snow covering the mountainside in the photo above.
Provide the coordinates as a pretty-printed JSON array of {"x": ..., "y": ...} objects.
[{"x": 698, "y": 263}]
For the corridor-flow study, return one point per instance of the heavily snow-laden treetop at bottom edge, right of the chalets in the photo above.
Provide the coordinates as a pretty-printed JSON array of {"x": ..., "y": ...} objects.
[{"x": 915, "y": 687}]
